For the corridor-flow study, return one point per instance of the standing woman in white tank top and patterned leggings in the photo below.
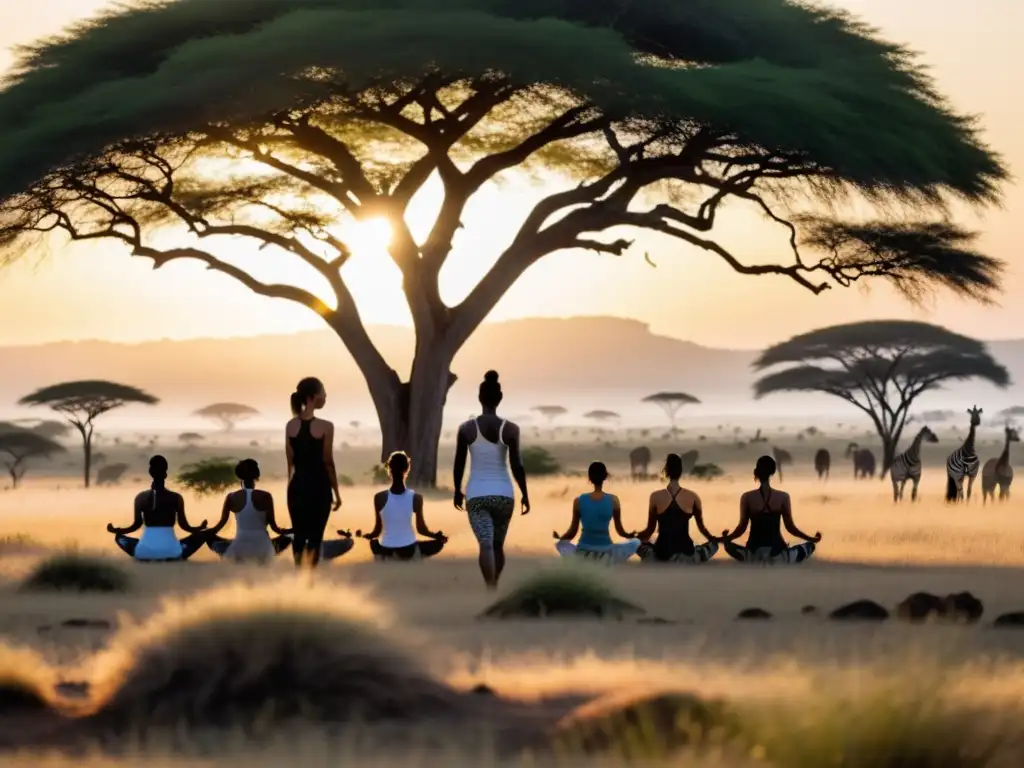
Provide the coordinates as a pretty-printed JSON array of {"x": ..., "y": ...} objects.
[{"x": 493, "y": 446}]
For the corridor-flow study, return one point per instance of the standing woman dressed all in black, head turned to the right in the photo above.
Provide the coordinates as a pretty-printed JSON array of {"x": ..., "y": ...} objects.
[{"x": 313, "y": 484}]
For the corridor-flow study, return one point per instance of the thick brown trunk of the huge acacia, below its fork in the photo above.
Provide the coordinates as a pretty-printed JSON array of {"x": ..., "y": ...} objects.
[{"x": 411, "y": 413}]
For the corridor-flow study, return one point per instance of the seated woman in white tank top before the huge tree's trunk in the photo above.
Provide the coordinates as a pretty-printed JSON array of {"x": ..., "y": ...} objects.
[{"x": 394, "y": 537}]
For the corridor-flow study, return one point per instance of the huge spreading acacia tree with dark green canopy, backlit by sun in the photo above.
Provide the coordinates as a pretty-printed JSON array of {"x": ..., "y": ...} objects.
[{"x": 175, "y": 125}]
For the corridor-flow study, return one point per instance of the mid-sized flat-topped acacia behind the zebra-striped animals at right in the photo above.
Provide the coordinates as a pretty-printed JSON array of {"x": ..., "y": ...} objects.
[{"x": 880, "y": 367}]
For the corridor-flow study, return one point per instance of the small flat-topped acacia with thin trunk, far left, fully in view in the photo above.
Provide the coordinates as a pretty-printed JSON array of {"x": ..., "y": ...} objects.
[{"x": 82, "y": 402}]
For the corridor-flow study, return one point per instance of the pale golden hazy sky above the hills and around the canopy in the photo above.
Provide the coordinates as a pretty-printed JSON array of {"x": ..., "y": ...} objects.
[{"x": 101, "y": 292}]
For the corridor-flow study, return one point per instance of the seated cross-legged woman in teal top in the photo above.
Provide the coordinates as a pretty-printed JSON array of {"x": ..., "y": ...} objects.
[{"x": 595, "y": 511}]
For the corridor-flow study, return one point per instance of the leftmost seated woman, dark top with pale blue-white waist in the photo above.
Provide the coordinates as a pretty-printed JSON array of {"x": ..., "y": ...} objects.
[{"x": 157, "y": 510}]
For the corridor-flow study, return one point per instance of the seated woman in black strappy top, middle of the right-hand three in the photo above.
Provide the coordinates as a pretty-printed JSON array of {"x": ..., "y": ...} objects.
[{"x": 669, "y": 514}]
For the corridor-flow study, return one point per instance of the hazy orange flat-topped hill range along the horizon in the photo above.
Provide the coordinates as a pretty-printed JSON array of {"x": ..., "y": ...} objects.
[{"x": 581, "y": 363}]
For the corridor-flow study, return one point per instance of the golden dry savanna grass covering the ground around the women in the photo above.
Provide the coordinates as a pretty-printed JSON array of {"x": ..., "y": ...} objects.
[{"x": 886, "y": 695}]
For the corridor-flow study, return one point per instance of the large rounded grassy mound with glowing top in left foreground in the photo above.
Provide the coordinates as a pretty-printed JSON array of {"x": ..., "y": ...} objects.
[{"x": 247, "y": 655}]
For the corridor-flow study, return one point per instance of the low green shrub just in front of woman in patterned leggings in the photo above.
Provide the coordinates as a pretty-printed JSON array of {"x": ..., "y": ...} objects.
[{"x": 570, "y": 589}]
